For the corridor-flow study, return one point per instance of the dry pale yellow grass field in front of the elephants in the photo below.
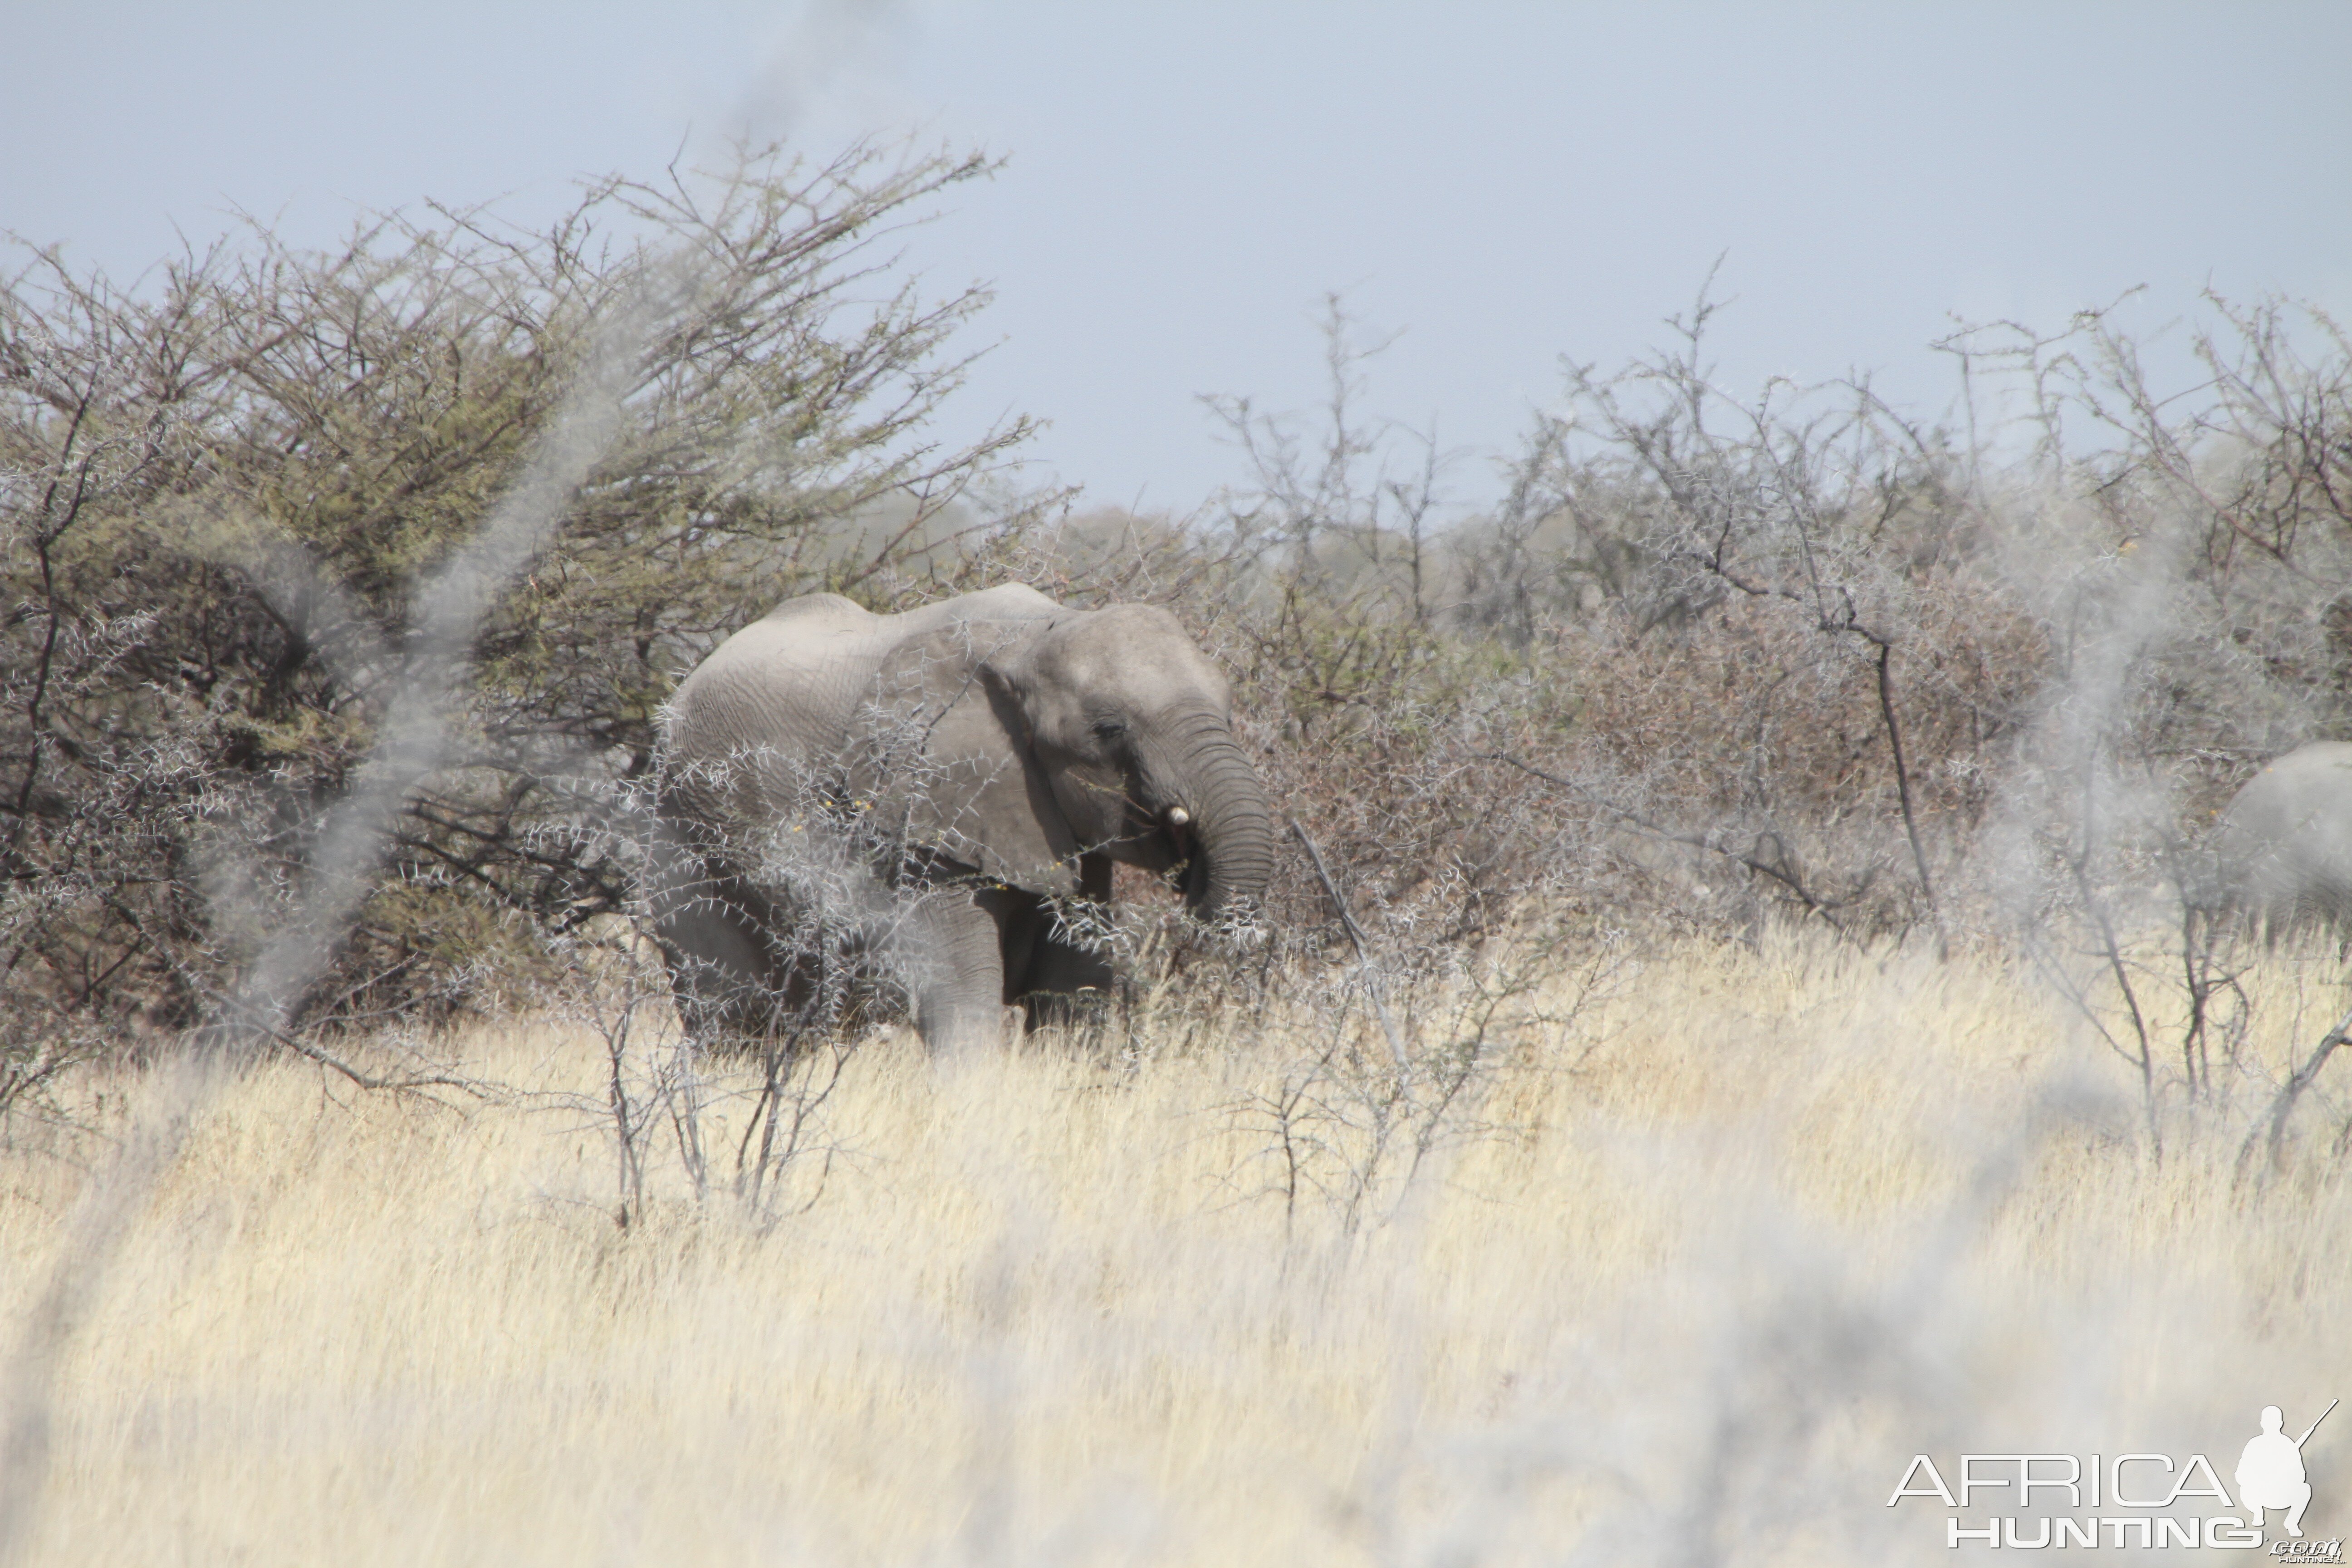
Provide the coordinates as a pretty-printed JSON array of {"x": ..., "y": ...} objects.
[{"x": 1751, "y": 1233}]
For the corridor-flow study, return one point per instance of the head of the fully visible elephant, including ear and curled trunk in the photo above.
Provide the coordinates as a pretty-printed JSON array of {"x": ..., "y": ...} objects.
[{"x": 1085, "y": 732}]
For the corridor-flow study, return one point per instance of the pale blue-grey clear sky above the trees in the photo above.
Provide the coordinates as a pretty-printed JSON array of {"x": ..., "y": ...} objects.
[{"x": 1502, "y": 185}]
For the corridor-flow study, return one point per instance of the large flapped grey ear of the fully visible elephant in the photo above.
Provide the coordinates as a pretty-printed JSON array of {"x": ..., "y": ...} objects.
[{"x": 949, "y": 763}]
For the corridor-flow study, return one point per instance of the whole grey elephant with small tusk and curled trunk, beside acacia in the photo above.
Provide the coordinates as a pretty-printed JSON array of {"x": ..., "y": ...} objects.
[{"x": 982, "y": 756}]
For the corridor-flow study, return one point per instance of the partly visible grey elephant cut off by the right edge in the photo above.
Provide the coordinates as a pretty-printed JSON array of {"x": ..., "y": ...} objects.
[{"x": 2285, "y": 843}]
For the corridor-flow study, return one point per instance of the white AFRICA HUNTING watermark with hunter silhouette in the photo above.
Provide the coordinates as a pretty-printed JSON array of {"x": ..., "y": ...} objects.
[{"x": 2134, "y": 1499}]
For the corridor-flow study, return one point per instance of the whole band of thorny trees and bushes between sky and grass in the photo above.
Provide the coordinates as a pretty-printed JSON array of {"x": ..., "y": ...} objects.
[{"x": 1697, "y": 664}]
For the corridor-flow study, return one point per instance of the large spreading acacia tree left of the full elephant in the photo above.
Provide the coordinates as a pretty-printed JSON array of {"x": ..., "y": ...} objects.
[{"x": 222, "y": 485}]
